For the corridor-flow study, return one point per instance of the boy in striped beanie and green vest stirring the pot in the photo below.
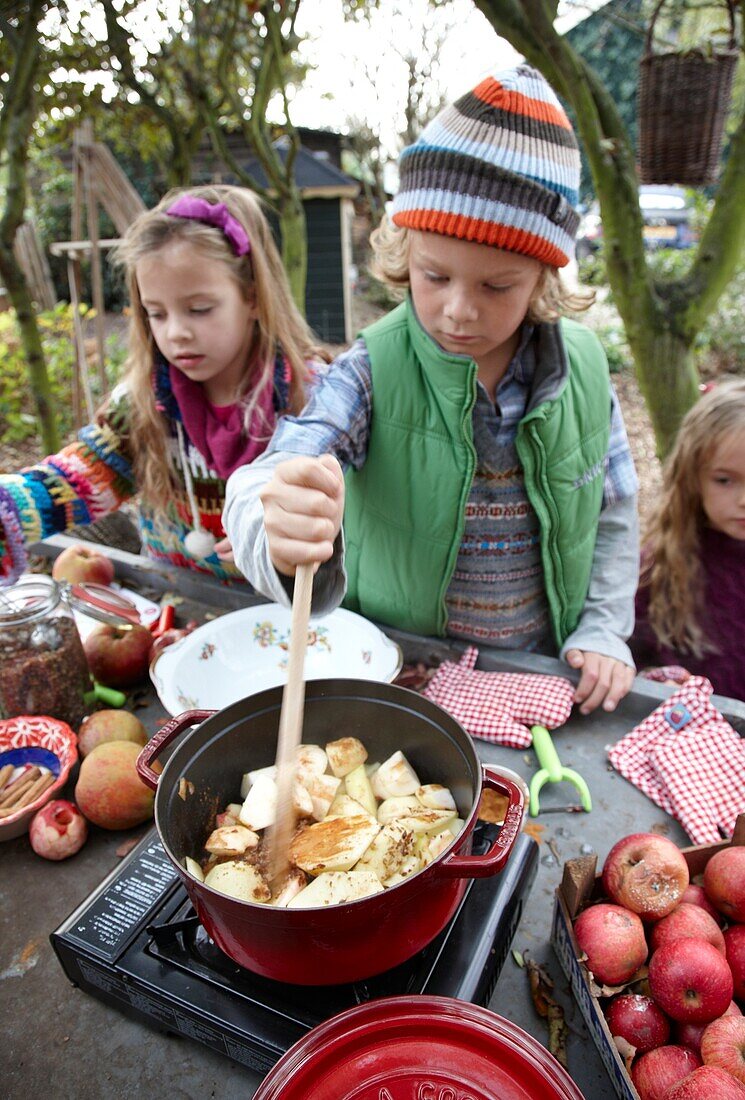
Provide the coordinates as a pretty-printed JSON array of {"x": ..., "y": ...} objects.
[{"x": 470, "y": 439}]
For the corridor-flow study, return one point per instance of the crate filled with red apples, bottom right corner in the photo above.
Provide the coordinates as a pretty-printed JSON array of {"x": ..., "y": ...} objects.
[{"x": 655, "y": 951}]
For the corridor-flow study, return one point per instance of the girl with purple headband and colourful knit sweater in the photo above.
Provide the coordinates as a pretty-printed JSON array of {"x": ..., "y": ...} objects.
[{"x": 217, "y": 354}]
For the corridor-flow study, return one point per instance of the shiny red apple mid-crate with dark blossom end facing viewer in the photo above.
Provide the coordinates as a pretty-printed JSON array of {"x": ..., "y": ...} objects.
[{"x": 691, "y": 981}]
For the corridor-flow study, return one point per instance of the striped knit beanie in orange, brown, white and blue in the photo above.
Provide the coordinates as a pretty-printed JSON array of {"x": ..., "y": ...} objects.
[{"x": 500, "y": 167}]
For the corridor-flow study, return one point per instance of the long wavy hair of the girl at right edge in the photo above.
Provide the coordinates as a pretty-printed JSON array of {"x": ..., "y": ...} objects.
[{"x": 672, "y": 564}]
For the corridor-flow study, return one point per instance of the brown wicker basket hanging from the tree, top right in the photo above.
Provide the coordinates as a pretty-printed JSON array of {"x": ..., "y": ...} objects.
[{"x": 683, "y": 105}]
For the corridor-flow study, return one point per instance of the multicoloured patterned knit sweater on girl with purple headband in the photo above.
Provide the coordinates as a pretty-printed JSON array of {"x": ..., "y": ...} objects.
[{"x": 93, "y": 477}]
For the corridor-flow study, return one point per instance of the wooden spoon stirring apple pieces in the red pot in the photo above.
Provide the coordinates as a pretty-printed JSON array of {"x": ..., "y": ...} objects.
[{"x": 291, "y": 727}]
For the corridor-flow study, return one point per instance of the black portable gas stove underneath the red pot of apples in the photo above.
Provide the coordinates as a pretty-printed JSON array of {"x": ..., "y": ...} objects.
[{"x": 137, "y": 944}]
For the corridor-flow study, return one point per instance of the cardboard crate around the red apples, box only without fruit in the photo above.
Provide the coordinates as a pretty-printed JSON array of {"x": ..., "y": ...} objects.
[{"x": 579, "y": 886}]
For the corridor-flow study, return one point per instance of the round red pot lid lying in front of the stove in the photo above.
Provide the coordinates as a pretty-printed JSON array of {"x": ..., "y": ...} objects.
[{"x": 422, "y": 1048}]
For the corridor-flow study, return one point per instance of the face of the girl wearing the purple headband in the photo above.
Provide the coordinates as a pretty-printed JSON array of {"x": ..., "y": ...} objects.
[{"x": 200, "y": 320}]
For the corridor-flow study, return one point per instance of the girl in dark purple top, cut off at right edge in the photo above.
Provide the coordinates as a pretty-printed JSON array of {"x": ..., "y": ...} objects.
[{"x": 692, "y": 598}]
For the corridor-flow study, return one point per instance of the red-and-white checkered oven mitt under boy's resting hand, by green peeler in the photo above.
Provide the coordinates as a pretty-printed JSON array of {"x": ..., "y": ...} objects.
[{"x": 500, "y": 707}]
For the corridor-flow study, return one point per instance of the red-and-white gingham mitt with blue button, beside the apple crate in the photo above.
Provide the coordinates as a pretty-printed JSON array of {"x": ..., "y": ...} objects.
[{"x": 689, "y": 761}]
